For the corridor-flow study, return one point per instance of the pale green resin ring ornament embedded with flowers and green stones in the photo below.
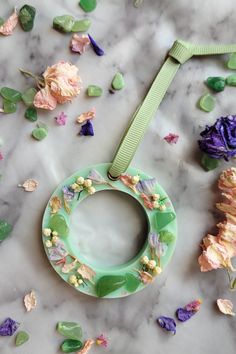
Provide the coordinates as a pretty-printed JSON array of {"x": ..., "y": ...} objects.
[{"x": 61, "y": 245}]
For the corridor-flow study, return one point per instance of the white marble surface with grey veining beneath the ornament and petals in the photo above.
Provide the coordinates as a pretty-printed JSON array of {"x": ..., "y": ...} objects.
[{"x": 135, "y": 41}]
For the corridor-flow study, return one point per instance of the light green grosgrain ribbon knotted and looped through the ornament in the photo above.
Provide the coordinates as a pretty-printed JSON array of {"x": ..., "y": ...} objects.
[{"x": 179, "y": 53}]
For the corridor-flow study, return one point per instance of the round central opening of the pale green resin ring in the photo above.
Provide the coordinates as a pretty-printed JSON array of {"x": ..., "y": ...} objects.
[{"x": 109, "y": 228}]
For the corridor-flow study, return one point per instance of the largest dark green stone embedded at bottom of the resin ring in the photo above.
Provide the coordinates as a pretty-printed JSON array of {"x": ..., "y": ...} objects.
[{"x": 109, "y": 283}]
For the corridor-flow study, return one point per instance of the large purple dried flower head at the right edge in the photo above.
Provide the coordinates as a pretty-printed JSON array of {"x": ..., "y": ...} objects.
[{"x": 219, "y": 140}]
